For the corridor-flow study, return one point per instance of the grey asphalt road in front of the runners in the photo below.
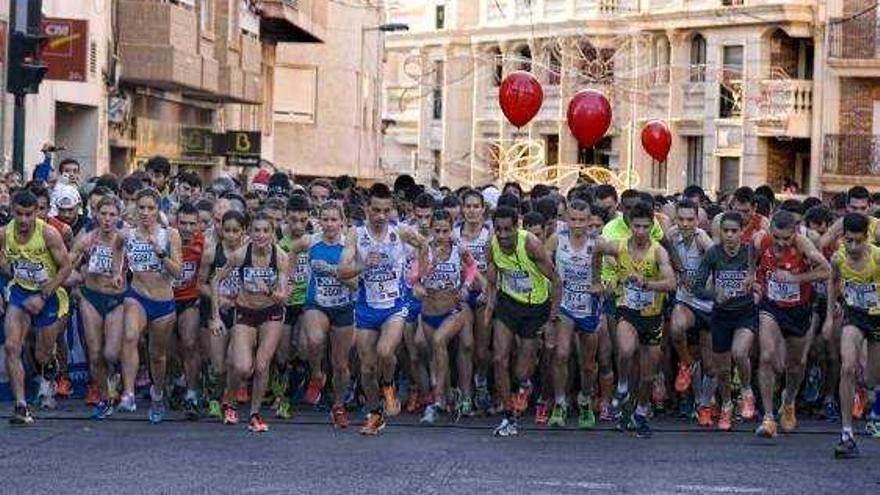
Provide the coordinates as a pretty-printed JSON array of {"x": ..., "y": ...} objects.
[{"x": 127, "y": 455}]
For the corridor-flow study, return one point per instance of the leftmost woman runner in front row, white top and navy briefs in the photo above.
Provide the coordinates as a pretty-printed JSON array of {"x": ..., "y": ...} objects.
[{"x": 99, "y": 254}]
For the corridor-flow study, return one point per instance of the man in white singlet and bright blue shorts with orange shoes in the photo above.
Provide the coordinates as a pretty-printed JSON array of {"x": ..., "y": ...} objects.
[{"x": 375, "y": 251}]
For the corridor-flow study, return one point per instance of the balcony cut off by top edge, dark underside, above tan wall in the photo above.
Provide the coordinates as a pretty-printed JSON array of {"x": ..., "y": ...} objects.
[{"x": 297, "y": 21}]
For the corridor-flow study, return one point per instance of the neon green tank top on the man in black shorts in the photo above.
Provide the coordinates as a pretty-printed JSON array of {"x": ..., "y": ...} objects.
[{"x": 521, "y": 279}]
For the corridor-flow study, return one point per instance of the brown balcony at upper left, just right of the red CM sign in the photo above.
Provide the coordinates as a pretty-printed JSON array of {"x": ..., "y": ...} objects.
[{"x": 158, "y": 44}]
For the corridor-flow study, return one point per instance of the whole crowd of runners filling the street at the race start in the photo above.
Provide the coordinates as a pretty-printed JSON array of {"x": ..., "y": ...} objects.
[{"x": 579, "y": 306}]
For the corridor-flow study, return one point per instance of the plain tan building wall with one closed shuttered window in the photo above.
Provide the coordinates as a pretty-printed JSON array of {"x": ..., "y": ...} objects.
[{"x": 326, "y": 120}]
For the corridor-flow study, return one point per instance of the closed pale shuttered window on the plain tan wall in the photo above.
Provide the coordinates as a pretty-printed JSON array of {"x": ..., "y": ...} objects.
[{"x": 295, "y": 96}]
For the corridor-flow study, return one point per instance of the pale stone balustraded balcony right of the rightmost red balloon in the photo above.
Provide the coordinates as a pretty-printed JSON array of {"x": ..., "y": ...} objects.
[{"x": 785, "y": 108}]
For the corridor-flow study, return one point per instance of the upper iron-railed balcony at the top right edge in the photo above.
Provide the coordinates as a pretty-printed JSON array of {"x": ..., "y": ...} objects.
[{"x": 853, "y": 47}]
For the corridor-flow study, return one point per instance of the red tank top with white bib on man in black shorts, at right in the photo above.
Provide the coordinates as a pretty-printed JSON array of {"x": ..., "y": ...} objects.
[{"x": 784, "y": 295}]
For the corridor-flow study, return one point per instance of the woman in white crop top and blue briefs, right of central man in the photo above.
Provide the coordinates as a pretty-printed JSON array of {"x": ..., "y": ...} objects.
[{"x": 443, "y": 289}]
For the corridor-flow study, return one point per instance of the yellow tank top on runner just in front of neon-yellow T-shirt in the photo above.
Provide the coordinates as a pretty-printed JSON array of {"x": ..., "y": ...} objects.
[{"x": 647, "y": 302}]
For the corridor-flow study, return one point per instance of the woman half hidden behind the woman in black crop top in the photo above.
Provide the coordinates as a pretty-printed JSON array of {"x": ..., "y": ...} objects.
[{"x": 231, "y": 234}]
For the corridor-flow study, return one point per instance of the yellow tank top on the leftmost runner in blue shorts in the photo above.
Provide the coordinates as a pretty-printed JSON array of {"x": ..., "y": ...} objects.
[{"x": 32, "y": 263}]
